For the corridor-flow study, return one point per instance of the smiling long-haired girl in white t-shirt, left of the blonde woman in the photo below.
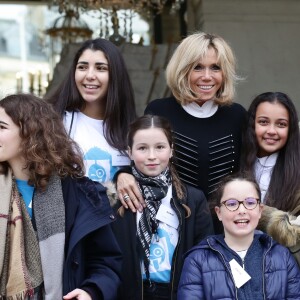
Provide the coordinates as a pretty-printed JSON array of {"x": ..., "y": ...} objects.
[{"x": 96, "y": 101}]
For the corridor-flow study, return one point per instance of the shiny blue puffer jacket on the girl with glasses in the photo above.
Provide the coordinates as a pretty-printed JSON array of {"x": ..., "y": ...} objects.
[{"x": 206, "y": 272}]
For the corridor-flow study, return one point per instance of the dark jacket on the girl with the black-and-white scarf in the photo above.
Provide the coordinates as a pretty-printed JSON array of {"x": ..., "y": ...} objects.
[{"x": 192, "y": 230}]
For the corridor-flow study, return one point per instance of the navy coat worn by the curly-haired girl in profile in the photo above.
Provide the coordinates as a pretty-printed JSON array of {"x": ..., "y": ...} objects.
[{"x": 92, "y": 255}]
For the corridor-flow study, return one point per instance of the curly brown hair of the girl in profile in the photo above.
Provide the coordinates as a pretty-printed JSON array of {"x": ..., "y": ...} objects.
[{"x": 45, "y": 145}]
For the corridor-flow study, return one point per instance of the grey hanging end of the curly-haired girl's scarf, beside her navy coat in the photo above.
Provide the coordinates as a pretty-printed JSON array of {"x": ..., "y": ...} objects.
[{"x": 49, "y": 213}]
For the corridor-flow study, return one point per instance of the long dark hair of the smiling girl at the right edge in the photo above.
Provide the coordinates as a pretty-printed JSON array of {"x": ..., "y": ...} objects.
[{"x": 284, "y": 188}]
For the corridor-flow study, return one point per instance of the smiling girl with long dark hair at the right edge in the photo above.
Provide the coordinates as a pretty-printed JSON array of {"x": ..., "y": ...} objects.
[{"x": 272, "y": 149}]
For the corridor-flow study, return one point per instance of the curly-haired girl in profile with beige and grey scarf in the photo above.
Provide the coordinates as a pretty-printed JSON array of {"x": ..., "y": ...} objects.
[{"x": 56, "y": 239}]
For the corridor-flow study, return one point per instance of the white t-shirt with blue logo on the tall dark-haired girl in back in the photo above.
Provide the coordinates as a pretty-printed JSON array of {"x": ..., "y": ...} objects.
[{"x": 101, "y": 160}]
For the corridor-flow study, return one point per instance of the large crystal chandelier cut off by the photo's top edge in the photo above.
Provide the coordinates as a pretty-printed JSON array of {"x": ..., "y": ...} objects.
[{"x": 116, "y": 14}]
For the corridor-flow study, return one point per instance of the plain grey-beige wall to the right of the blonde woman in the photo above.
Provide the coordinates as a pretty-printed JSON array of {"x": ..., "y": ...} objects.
[{"x": 265, "y": 36}]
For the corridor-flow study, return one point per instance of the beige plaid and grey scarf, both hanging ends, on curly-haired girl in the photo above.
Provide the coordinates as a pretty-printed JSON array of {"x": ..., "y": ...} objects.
[{"x": 28, "y": 258}]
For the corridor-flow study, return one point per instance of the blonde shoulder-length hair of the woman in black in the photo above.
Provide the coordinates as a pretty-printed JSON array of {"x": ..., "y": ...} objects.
[{"x": 186, "y": 57}]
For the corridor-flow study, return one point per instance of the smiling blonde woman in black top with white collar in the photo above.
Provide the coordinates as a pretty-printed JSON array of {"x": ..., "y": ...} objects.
[{"x": 207, "y": 123}]
